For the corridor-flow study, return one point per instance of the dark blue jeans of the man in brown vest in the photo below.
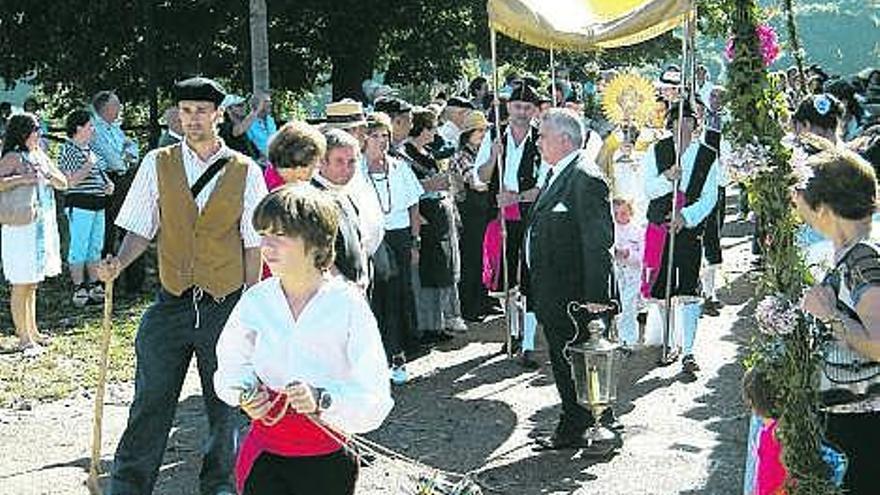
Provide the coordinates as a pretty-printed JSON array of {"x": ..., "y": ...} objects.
[{"x": 166, "y": 340}]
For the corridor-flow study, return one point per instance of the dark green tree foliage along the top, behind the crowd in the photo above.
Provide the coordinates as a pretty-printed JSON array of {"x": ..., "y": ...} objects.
[{"x": 78, "y": 47}]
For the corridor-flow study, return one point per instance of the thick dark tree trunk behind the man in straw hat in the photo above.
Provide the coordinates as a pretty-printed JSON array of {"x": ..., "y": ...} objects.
[{"x": 353, "y": 36}]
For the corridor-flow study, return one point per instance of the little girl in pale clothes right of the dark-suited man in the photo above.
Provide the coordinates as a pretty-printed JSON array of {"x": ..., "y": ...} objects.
[{"x": 628, "y": 246}]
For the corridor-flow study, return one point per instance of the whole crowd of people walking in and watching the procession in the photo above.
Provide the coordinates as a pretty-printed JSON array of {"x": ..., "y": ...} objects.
[{"x": 305, "y": 263}]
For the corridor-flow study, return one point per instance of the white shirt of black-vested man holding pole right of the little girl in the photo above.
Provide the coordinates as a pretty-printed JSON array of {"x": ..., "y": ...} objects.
[{"x": 657, "y": 185}]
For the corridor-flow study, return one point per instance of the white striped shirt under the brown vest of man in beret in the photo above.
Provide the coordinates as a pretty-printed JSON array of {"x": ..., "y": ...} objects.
[{"x": 140, "y": 210}]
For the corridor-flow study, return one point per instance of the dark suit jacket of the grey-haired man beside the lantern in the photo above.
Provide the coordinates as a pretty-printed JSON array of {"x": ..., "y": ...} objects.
[{"x": 570, "y": 251}]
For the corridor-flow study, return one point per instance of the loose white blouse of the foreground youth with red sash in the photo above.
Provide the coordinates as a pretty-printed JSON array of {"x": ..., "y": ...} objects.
[{"x": 334, "y": 344}]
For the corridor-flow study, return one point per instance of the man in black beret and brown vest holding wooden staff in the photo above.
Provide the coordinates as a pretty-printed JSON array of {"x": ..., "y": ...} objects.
[{"x": 198, "y": 196}]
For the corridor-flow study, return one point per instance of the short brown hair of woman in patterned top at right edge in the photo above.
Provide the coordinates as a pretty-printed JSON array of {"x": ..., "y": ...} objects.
[{"x": 844, "y": 182}]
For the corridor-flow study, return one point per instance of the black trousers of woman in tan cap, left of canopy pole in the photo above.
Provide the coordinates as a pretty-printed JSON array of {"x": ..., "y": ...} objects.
[{"x": 474, "y": 218}]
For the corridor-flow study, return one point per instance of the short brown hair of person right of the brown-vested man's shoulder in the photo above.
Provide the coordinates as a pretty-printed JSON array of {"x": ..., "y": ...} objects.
[{"x": 296, "y": 145}]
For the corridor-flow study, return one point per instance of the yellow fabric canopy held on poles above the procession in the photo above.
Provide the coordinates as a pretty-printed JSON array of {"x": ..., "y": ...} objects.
[{"x": 584, "y": 25}]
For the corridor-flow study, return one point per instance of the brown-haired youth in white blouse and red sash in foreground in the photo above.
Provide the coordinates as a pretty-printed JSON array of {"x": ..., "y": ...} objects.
[{"x": 302, "y": 356}]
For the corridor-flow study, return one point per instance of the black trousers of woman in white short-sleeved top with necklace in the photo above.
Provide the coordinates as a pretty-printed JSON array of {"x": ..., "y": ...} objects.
[{"x": 393, "y": 301}]
